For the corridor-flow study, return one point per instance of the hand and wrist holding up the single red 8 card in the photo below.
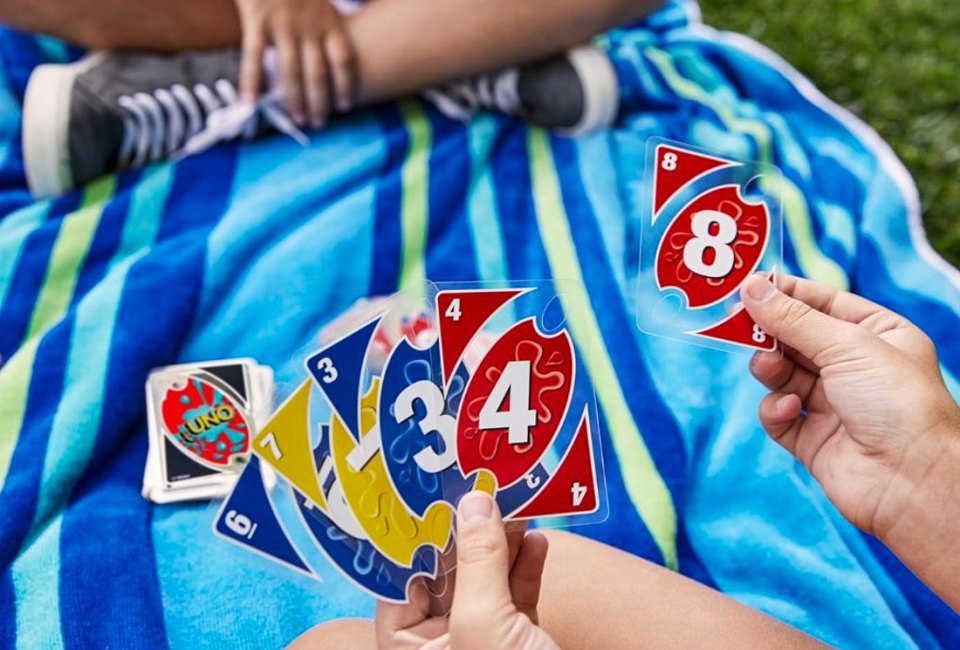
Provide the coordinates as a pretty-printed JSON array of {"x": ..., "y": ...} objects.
[{"x": 860, "y": 401}]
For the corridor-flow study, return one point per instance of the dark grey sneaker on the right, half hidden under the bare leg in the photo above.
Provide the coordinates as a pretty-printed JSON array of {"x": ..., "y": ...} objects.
[{"x": 574, "y": 93}]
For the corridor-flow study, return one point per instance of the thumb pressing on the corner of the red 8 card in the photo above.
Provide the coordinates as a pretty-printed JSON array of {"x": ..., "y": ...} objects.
[{"x": 821, "y": 338}]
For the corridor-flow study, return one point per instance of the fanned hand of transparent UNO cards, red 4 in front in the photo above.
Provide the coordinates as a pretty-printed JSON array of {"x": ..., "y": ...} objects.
[{"x": 407, "y": 409}]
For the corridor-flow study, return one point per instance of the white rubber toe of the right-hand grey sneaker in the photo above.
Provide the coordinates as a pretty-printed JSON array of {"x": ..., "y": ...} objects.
[{"x": 601, "y": 90}]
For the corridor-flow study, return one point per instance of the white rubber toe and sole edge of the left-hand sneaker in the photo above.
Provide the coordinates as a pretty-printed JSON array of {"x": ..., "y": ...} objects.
[{"x": 46, "y": 123}]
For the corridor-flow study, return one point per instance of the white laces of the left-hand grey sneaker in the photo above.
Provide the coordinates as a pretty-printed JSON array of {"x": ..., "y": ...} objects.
[{"x": 170, "y": 123}]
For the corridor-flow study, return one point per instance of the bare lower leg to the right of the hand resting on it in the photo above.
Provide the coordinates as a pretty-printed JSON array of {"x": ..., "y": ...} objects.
[{"x": 405, "y": 45}]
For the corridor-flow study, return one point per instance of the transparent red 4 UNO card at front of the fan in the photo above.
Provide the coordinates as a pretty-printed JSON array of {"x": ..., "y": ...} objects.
[{"x": 527, "y": 419}]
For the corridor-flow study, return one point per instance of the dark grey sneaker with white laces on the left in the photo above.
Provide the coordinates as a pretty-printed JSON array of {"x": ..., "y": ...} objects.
[{"x": 113, "y": 111}]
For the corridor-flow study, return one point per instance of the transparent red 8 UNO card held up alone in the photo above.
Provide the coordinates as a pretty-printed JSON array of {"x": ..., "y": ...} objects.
[{"x": 709, "y": 221}]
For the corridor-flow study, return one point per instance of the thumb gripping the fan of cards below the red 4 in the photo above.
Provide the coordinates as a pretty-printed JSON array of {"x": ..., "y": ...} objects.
[{"x": 482, "y": 593}]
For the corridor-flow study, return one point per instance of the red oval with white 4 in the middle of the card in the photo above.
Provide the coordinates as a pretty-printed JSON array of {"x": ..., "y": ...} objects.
[{"x": 514, "y": 404}]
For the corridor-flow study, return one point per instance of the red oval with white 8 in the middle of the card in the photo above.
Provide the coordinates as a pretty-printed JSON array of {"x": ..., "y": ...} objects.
[{"x": 712, "y": 245}]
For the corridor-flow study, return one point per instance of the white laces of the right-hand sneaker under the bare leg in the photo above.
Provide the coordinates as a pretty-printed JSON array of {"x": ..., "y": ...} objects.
[{"x": 492, "y": 91}]
